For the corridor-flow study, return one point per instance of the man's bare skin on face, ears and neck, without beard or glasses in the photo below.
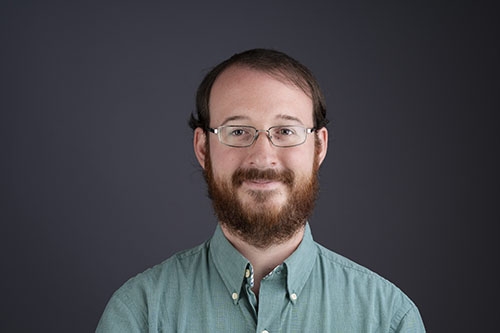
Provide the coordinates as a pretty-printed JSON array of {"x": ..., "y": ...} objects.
[{"x": 243, "y": 96}]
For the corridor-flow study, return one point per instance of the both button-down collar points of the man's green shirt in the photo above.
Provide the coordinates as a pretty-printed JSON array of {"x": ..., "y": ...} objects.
[{"x": 231, "y": 264}]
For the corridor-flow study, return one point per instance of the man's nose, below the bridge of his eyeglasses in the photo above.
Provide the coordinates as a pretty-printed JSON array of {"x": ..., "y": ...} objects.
[{"x": 262, "y": 154}]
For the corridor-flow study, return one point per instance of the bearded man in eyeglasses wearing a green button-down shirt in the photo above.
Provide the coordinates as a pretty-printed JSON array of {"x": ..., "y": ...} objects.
[{"x": 260, "y": 137}]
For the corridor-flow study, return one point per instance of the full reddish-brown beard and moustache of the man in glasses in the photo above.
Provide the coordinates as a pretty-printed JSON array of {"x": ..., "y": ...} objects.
[{"x": 259, "y": 222}]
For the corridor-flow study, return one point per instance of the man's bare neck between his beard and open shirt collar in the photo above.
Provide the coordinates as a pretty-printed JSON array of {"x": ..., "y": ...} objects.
[{"x": 264, "y": 260}]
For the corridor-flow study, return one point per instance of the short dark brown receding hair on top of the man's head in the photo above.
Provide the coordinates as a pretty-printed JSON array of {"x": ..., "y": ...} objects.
[{"x": 275, "y": 63}]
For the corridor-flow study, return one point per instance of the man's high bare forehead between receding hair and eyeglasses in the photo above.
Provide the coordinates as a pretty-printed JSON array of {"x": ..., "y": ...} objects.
[{"x": 253, "y": 95}]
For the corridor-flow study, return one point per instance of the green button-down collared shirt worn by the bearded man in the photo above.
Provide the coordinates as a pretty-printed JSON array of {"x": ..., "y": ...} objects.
[{"x": 208, "y": 289}]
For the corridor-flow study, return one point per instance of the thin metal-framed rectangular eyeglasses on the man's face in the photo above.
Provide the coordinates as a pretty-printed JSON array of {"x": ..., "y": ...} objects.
[{"x": 245, "y": 136}]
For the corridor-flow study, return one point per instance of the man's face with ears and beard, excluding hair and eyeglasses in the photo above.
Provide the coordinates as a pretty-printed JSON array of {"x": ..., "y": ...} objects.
[{"x": 262, "y": 193}]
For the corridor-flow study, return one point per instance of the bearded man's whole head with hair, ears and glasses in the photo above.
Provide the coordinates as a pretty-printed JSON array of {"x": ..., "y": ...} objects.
[{"x": 263, "y": 183}]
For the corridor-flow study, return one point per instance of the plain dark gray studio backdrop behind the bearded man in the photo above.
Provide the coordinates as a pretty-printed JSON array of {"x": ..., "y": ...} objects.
[{"x": 99, "y": 182}]
